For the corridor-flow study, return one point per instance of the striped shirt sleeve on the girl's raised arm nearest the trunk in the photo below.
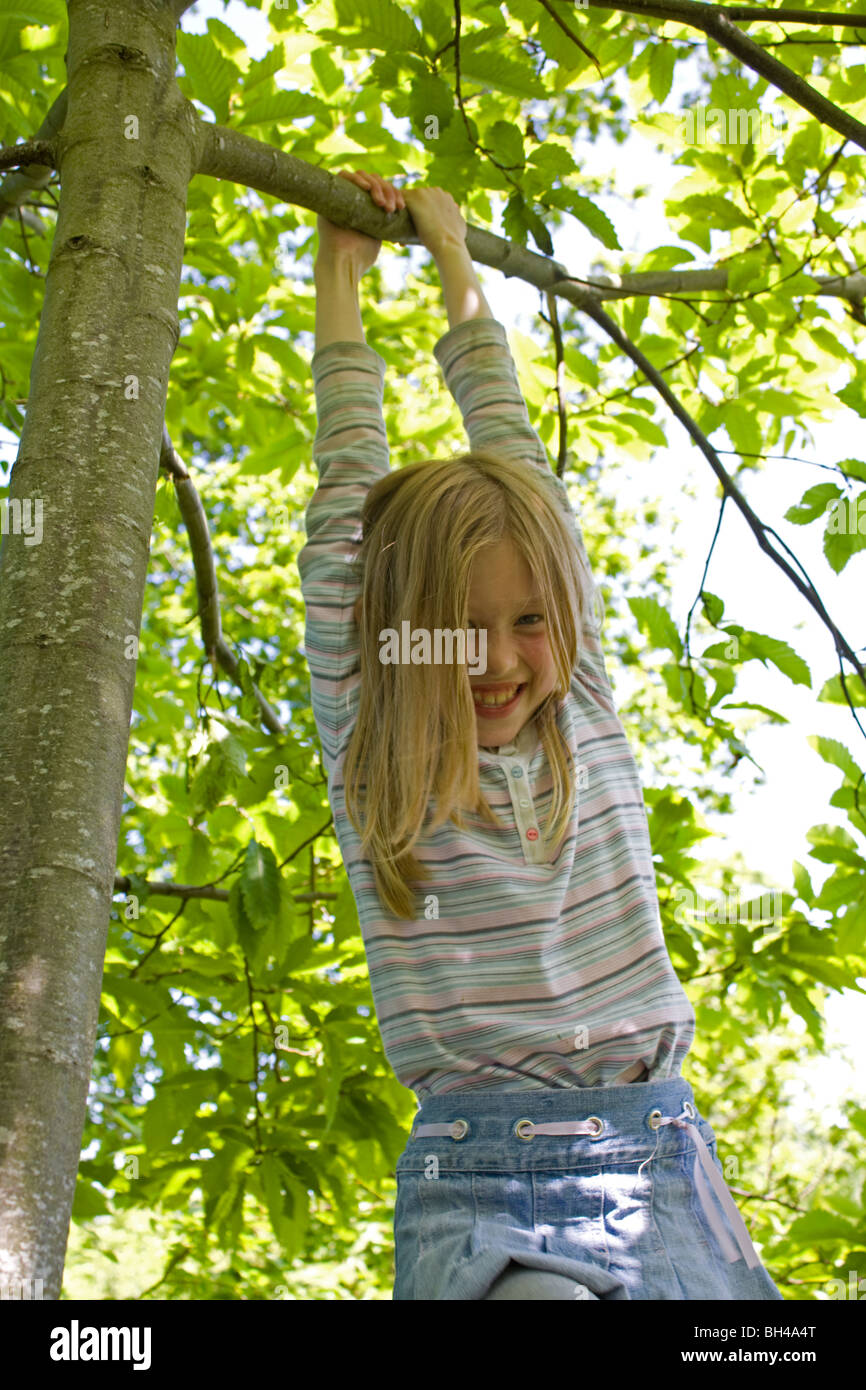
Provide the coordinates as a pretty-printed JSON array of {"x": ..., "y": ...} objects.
[{"x": 351, "y": 454}]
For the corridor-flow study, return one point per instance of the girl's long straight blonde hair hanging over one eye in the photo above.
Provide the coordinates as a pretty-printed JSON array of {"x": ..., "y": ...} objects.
[{"x": 415, "y": 744}]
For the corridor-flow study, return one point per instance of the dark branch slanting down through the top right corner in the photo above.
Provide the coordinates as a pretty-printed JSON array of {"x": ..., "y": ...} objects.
[{"x": 715, "y": 23}]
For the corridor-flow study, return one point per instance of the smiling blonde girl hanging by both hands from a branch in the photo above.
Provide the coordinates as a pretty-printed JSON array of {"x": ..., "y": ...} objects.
[{"x": 494, "y": 833}]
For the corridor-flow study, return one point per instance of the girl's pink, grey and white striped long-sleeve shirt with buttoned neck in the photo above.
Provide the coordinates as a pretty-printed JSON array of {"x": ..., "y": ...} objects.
[{"x": 537, "y": 972}]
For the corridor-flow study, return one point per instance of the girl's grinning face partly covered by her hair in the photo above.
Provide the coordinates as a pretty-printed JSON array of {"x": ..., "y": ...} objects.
[{"x": 505, "y": 601}]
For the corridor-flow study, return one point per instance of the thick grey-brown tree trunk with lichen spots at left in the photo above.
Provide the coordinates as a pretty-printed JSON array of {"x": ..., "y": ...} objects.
[{"x": 73, "y": 571}]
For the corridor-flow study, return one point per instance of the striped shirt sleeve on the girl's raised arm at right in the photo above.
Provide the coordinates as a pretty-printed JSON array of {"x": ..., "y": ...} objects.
[{"x": 482, "y": 376}]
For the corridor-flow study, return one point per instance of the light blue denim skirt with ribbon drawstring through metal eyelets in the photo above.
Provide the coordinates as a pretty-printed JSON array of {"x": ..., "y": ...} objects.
[{"x": 618, "y": 1188}]
